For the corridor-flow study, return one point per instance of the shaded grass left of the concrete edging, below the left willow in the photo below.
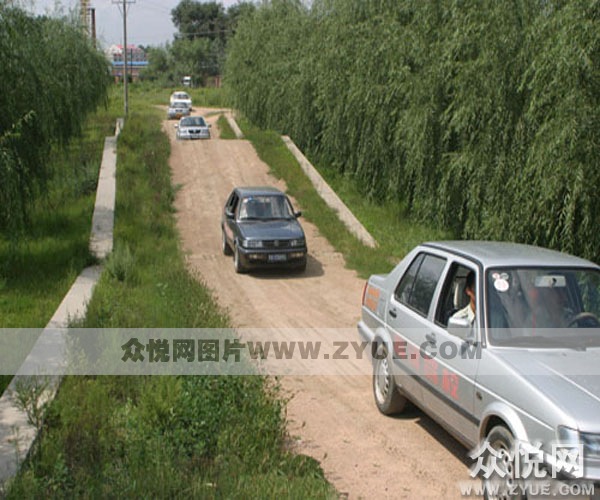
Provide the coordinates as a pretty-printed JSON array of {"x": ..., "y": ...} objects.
[{"x": 38, "y": 266}]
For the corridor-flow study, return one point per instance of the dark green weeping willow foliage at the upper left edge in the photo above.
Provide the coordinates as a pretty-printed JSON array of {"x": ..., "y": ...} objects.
[{"x": 50, "y": 79}]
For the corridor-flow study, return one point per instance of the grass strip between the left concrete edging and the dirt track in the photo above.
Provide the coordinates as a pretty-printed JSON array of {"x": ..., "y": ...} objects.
[{"x": 209, "y": 437}]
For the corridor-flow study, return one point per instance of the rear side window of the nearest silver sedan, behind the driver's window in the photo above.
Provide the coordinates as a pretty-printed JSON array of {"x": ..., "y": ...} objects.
[{"x": 418, "y": 285}]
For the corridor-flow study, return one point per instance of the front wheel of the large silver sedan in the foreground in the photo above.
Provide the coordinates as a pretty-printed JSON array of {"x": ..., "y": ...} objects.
[{"x": 504, "y": 481}]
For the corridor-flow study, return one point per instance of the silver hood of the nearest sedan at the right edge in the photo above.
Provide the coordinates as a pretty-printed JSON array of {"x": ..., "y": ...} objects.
[{"x": 569, "y": 378}]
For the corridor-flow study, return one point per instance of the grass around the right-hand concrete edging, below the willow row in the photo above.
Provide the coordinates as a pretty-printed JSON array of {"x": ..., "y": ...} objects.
[{"x": 388, "y": 224}]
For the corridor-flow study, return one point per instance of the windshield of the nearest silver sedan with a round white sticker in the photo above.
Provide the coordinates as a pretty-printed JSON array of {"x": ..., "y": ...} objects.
[{"x": 544, "y": 307}]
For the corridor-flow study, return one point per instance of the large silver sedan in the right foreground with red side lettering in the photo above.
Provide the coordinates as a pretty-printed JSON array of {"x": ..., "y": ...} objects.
[{"x": 500, "y": 343}]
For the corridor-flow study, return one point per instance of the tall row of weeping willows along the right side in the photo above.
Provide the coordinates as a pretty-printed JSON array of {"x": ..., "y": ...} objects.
[{"x": 479, "y": 118}]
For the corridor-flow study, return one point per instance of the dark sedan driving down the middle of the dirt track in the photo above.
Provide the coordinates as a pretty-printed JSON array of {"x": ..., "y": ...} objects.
[{"x": 261, "y": 230}]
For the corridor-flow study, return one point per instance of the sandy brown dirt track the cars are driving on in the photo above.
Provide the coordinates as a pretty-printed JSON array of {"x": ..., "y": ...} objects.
[{"x": 331, "y": 418}]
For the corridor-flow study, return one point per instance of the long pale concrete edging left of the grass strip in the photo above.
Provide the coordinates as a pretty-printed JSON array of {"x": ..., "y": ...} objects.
[{"x": 17, "y": 434}]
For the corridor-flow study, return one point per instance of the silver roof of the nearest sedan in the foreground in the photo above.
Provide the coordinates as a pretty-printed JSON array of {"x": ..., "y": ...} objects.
[{"x": 498, "y": 253}]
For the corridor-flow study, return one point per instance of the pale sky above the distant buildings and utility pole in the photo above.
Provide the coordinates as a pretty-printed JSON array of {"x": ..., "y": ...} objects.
[{"x": 148, "y": 21}]
